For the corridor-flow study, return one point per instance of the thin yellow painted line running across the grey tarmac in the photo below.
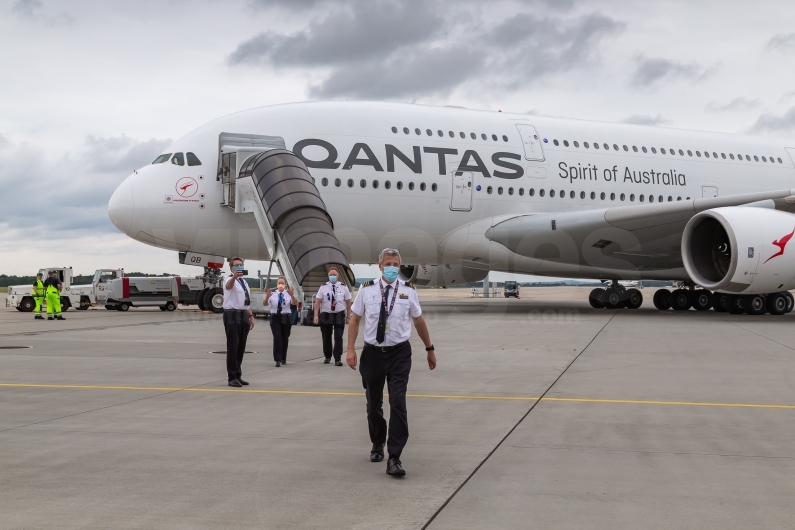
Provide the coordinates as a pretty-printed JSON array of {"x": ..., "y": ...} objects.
[{"x": 428, "y": 396}]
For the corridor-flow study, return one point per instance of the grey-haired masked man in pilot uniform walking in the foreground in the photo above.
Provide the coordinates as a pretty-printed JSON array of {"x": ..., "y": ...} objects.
[{"x": 388, "y": 307}]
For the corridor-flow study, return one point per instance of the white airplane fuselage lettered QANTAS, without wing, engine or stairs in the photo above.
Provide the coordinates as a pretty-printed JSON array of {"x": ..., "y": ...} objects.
[{"x": 150, "y": 207}]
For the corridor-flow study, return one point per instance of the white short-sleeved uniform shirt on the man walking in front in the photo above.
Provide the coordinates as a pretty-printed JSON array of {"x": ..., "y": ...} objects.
[{"x": 368, "y": 305}]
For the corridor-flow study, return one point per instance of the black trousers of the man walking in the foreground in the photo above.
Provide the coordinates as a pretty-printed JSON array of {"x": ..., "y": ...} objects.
[{"x": 393, "y": 366}]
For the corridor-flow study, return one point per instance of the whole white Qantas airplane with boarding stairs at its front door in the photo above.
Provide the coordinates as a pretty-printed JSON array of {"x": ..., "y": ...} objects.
[{"x": 463, "y": 192}]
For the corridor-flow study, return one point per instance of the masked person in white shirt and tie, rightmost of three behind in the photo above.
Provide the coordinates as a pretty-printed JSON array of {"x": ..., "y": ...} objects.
[{"x": 332, "y": 312}]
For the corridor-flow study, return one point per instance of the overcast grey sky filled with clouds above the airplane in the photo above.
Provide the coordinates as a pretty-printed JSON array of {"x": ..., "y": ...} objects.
[{"x": 91, "y": 90}]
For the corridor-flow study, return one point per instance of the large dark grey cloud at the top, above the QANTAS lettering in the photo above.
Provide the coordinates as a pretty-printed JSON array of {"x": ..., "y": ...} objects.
[{"x": 389, "y": 49}]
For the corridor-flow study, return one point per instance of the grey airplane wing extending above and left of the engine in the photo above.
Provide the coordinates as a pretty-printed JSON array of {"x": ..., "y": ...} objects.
[{"x": 640, "y": 236}]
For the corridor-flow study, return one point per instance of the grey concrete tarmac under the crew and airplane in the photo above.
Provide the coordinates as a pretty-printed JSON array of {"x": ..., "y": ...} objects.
[{"x": 542, "y": 413}]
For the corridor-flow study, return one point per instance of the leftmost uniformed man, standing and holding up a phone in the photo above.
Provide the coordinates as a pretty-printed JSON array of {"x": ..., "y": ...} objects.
[{"x": 238, "y": 321}]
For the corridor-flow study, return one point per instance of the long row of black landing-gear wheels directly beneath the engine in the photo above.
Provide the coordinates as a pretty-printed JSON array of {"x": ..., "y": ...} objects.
[{"x": 704, "y": 300}]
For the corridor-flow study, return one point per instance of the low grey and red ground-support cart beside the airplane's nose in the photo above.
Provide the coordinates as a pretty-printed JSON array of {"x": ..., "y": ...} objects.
[{"x": 123, "y": 293}]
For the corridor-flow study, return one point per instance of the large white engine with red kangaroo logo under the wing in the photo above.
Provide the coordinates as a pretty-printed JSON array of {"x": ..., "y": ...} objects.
[{"x": 740, "y": 250}]
